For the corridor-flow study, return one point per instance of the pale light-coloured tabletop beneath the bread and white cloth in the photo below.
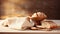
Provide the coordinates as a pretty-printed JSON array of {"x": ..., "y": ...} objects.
[{"x": 6, "y": 30}]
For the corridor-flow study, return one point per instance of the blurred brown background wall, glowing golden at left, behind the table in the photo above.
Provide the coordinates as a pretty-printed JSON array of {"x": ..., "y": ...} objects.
[{"x": 19, "y": 8}]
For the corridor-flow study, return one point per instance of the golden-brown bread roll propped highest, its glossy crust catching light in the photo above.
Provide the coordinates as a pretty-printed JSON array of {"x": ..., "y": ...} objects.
[{"x": 38, "y": 16}]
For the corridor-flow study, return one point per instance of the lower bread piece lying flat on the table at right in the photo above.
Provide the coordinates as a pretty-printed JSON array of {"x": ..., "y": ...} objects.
[{"x": 49, "y": 24}]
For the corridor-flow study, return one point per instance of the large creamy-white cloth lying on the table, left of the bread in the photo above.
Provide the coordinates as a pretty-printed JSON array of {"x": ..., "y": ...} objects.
[{"x": 17, "y": 23}]
